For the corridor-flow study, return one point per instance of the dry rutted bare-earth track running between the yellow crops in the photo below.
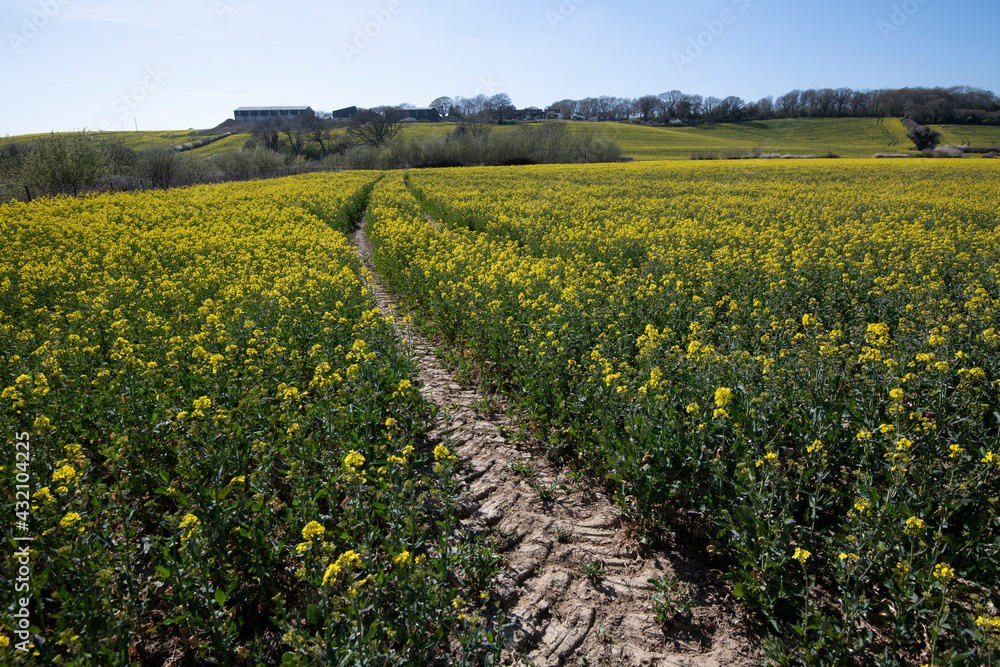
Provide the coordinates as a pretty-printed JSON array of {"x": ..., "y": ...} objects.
[{"x": 556, "y": 613}]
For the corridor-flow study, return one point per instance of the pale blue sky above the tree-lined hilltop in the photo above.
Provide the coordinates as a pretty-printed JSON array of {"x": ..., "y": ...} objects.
[{"x": 165, "y": 65}]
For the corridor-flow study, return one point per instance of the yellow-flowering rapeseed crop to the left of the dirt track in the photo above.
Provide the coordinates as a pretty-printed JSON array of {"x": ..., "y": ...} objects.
[{"x": 225, "y": 445}]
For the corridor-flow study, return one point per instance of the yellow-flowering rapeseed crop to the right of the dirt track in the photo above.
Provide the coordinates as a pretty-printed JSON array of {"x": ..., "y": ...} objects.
[{"x": 795, "y": 363}]
